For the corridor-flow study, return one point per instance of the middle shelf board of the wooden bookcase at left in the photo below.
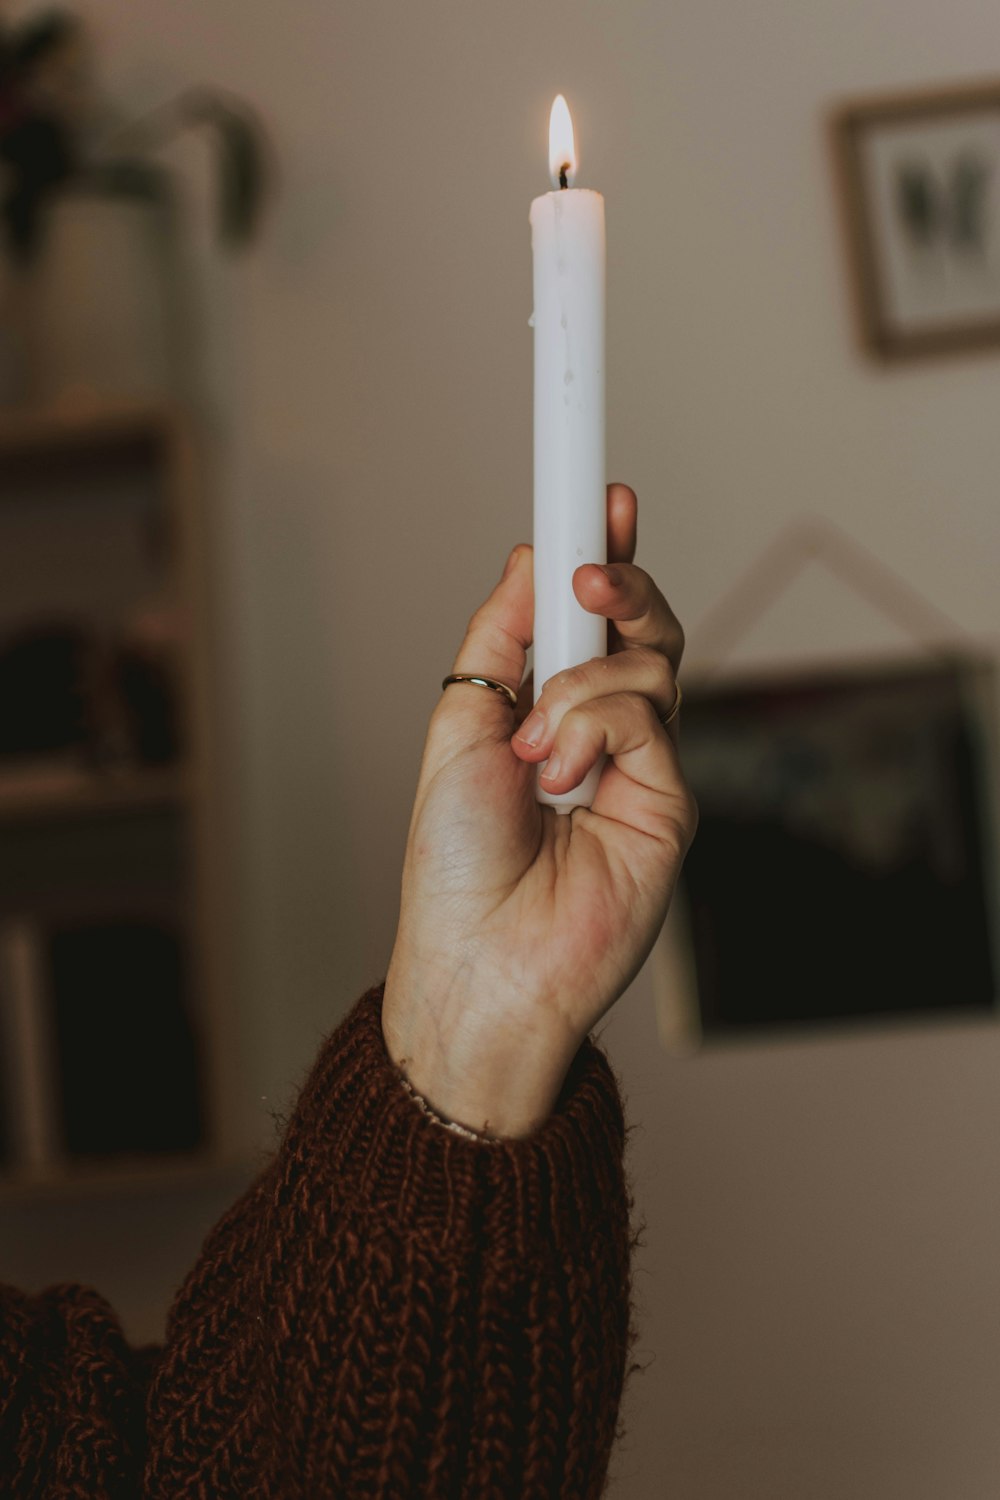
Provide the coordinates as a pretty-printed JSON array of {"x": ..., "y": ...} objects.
[{"x": 43, "y": 793}]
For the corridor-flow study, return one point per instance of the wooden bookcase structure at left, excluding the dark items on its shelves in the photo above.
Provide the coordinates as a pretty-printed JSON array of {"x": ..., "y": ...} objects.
[{"x": 109, "y": 502}]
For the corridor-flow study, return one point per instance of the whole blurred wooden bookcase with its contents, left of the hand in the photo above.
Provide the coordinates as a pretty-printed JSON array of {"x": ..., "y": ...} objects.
[{"x": 118, "y": 1025}]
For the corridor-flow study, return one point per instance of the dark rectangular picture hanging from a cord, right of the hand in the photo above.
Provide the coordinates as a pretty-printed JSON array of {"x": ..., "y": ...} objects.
[{"x": 845, "y": 862}]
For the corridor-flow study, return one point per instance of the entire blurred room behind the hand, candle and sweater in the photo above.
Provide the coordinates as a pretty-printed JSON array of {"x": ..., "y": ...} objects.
[{"x": 265, "y": 448}]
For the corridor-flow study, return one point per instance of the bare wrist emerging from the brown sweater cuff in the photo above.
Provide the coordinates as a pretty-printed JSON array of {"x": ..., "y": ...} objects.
[{"x": 497, "y": 1078}]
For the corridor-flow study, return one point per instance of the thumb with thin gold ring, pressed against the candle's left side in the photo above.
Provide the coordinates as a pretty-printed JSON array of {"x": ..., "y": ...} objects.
[{"x": 496, "y": 646}]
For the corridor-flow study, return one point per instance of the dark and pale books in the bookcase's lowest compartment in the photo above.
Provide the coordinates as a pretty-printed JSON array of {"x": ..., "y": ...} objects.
[{"x": 101, "y": 1055}]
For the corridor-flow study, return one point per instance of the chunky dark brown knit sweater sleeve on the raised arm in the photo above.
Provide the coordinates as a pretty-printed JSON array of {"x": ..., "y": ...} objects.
[{"x": 391, "y": 1310}]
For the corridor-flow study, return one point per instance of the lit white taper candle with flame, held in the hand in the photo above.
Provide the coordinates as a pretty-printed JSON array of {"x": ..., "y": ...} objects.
[{"x": 567, "y": 242}]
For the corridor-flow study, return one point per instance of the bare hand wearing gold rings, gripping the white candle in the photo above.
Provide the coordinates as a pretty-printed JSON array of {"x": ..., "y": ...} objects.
[{"x": 519, "y": 926}]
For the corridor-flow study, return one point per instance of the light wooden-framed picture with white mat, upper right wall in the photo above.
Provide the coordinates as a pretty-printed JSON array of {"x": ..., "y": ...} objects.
[{"x": 921, "y": 191}]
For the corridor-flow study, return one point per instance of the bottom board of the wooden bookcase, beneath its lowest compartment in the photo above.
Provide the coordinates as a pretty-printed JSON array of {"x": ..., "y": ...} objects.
[{"x": 121, "y": 1175}]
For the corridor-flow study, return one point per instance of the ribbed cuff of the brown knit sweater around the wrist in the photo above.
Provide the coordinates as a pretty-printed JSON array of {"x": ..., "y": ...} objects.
[{"x": 371, "y": 1144}]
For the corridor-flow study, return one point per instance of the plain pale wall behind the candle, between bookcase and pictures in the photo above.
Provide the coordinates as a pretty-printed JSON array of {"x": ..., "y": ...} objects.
[{"x": 819, "y": 1274}]
